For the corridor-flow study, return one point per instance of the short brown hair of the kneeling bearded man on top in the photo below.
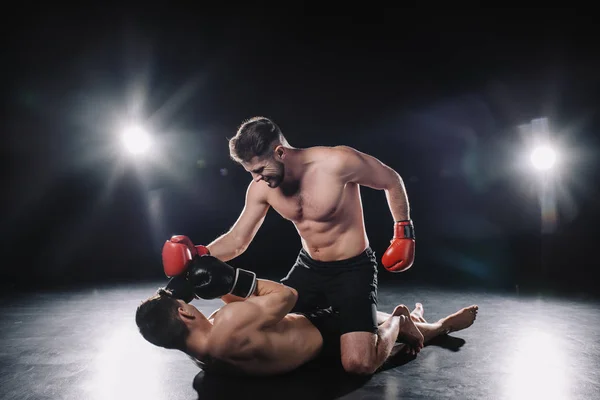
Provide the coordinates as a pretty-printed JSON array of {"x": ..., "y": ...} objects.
[{"x": 254, "y": 138}]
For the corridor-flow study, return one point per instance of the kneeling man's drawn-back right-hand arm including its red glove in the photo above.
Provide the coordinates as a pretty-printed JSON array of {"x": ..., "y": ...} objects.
[{"x": 363, "y": 169}]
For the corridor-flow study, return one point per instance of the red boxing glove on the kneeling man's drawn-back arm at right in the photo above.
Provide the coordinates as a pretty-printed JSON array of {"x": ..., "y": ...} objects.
[{"x": 401, "y": 254}]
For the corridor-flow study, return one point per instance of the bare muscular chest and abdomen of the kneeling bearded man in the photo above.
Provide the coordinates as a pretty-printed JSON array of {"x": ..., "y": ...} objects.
[{"x": 326, "y": 212}]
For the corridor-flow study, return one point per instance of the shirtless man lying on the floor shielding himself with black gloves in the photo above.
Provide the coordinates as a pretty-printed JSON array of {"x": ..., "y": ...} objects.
[{"x": 254, "y": 333}]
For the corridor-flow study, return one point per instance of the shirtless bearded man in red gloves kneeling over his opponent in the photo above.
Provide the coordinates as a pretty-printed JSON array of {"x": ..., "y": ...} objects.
[{"x": 318, "y": 190}]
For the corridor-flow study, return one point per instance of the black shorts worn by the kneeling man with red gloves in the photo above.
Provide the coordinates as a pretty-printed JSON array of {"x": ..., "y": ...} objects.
[{"x": 348, "y": 286}]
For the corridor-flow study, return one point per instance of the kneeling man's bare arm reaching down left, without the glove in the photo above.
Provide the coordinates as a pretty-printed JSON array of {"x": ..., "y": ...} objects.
[{"x": 238, "y": 238}]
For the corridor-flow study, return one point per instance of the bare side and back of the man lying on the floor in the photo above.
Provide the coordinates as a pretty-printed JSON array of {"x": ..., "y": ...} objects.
[{"x": 278, "y": 349}]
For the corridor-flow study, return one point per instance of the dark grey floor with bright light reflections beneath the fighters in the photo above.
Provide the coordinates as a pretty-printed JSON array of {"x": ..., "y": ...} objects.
[{"x": 84, "y": 344}]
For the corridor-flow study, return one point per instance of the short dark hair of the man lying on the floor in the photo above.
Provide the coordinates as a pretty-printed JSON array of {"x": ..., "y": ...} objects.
[{"x": 158, "y": 321}]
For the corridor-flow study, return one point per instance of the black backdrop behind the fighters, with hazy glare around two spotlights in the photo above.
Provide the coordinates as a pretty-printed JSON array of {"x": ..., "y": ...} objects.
[{"x": 438, "y": 97}]
